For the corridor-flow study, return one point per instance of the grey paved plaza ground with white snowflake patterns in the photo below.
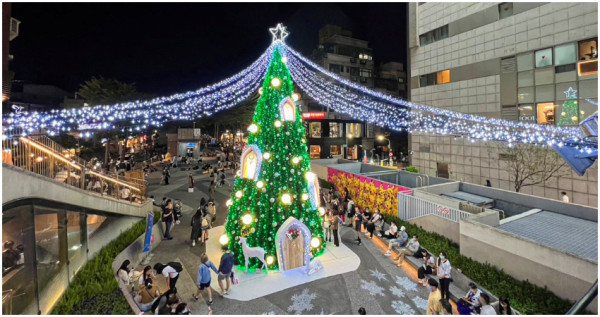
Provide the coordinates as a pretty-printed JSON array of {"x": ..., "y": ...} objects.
[{"x": 377, "y": 285}]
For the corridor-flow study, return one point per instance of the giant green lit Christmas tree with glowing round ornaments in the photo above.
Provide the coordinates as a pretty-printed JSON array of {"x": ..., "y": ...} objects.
[{"x": 275, "y": 181}]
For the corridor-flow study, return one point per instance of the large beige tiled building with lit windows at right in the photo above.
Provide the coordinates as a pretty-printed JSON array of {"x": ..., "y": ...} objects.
[{"x": 506, "y": 60}]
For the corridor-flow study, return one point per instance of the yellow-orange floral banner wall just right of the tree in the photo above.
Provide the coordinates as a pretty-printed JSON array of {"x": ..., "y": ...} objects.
[{"x": 367, "y": 192}]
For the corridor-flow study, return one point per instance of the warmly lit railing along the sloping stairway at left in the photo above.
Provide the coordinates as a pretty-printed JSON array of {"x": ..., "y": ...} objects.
[{"x": 42, "y": 156}]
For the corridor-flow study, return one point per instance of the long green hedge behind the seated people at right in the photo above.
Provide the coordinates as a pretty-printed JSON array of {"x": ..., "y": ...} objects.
[{"x": 524, "y": 296}]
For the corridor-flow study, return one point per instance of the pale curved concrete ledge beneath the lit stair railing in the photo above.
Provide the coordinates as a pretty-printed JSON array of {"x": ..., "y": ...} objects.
[{"x": 21, "y": 184}]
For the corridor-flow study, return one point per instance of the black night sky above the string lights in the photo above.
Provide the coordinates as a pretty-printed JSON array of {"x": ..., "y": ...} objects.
[{"x": 175, "y": 47}]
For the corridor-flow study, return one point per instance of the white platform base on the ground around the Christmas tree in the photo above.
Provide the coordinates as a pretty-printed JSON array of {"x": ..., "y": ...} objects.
[{"x": 335, "y": 260}]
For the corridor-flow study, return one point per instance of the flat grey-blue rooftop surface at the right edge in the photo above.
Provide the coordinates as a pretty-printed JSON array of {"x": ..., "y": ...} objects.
[{"x": 565, "y": 233}]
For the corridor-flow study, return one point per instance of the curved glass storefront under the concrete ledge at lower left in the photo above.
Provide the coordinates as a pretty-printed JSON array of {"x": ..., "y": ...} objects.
[{"x": 45, "y": 244}]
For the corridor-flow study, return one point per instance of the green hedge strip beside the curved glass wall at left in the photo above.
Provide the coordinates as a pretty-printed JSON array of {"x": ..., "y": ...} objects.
[{"x": 95, "y": 290}]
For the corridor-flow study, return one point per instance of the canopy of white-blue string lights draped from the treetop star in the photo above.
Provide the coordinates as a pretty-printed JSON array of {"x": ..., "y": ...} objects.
[{"x": 327, "y": 88}]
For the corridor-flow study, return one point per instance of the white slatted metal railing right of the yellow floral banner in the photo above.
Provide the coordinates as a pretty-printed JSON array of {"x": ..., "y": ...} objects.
[{"x": 410, "y": 207}]
